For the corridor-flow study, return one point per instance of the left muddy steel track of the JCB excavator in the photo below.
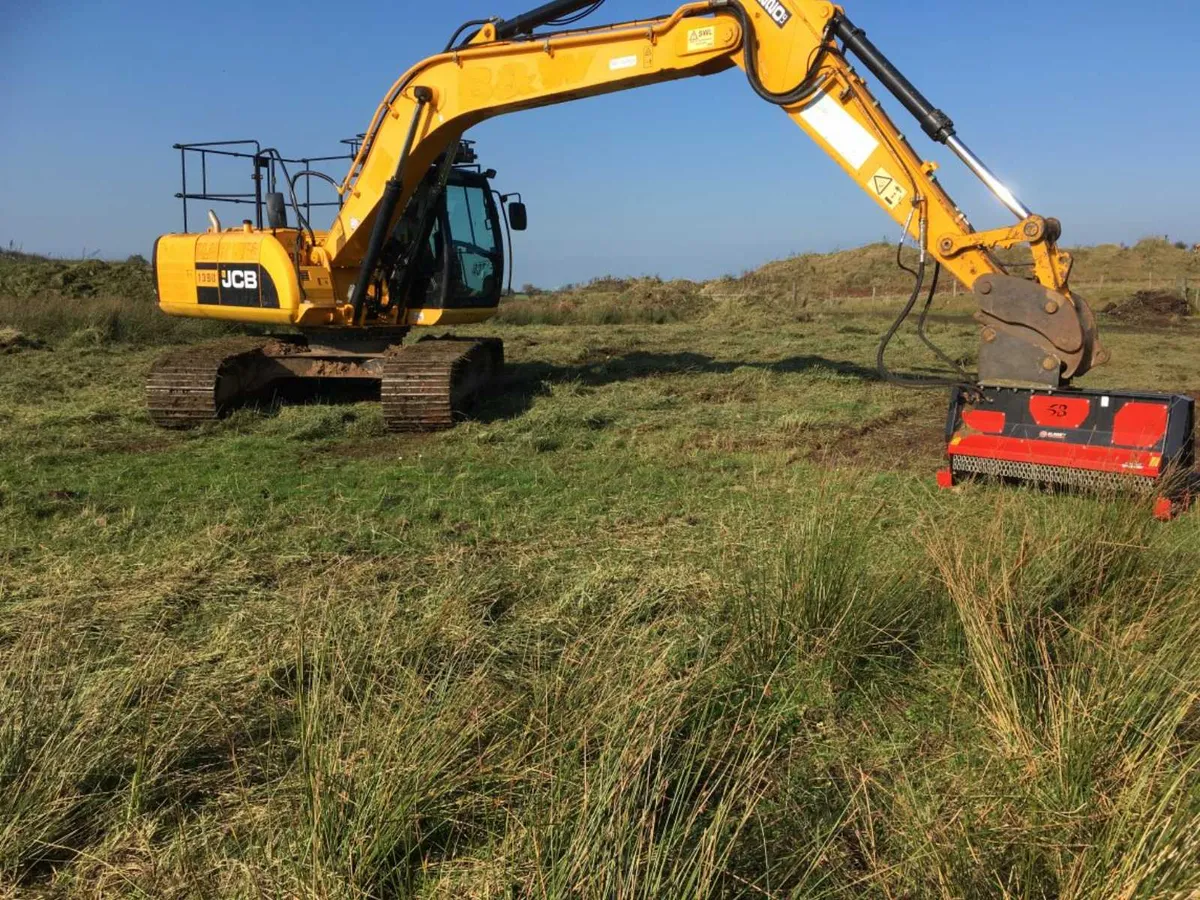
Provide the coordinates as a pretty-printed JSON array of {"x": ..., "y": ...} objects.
[{"x": 194, "y": 387}]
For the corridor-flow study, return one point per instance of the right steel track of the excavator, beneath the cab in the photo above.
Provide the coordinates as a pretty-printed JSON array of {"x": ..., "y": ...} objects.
[{"x": 431, "y": 385}]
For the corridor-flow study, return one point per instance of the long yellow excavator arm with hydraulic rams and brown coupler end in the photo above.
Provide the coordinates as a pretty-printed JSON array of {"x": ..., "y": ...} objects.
[{"x": 796, "y": 55}]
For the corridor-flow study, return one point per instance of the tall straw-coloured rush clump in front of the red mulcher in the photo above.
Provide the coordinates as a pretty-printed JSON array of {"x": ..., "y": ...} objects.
[{"x": 1081, "y": 647}]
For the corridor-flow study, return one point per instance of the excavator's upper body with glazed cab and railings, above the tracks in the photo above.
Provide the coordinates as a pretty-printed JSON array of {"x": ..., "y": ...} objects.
[{"x": 443, "y": 263}]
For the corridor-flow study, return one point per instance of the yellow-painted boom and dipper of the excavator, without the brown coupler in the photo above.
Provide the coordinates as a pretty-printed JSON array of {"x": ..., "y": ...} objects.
[{"x": 489, "y": 80}]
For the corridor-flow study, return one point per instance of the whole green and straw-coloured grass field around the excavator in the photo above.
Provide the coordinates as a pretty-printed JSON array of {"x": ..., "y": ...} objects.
[{"x": 680, "y": 614}]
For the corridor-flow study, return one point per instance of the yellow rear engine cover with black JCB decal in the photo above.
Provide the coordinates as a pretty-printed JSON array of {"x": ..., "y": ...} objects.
[{"x": 238, "y": 277}]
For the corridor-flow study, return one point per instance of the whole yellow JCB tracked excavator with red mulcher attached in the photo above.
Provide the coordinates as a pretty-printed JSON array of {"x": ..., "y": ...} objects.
[{"x": 417, "y": 239}]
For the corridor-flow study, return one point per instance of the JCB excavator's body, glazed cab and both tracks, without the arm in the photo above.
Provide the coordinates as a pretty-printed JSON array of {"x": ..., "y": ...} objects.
[{"x": 442, "y": 265}]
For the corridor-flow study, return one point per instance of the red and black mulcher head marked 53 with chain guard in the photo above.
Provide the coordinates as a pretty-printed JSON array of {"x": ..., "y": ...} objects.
[{"x": 1087, "y": 440}]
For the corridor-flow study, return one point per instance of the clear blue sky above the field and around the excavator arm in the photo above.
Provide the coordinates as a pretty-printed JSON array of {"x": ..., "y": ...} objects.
[{"x": 1088, "y": 111}]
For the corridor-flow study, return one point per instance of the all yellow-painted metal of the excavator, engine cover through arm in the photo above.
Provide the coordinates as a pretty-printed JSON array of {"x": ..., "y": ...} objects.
[{"x": 490, "y": 79}]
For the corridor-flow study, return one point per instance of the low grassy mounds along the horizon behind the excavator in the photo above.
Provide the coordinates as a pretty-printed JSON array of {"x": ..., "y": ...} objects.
[{"x": 92, "y": 301}]
